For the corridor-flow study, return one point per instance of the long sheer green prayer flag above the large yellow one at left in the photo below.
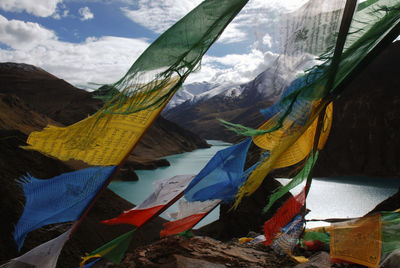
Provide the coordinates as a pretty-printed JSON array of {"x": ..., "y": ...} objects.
[{"x": 172, "y": 57}]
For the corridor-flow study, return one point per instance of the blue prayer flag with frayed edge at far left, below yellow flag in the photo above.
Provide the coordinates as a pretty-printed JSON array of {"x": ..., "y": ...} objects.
[{"x": 59, "y": 199}]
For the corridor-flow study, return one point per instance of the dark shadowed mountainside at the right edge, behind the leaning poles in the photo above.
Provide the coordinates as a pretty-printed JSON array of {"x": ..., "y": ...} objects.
[{"x": 364, "y": 139}]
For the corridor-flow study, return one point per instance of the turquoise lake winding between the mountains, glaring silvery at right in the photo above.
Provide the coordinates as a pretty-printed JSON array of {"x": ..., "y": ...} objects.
[{"x": 339, "y": 197}]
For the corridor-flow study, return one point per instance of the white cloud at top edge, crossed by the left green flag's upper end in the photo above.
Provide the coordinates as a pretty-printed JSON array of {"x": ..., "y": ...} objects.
[{"x": 159, "y": 15}]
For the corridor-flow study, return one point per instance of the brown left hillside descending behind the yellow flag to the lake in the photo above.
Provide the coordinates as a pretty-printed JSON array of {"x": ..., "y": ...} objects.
[{"x": 65, "y": 104}]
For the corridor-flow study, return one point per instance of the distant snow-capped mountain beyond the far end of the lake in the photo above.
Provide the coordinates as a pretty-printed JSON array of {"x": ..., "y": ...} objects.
[{"x": 238, "y": 104}]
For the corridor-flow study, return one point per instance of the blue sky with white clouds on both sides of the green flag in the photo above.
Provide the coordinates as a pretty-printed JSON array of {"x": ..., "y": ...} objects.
[{"x": 96, "y": 41}]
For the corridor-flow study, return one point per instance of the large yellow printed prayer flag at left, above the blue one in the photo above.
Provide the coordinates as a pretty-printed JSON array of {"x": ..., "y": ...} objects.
[{"x": 102, "y": 139}]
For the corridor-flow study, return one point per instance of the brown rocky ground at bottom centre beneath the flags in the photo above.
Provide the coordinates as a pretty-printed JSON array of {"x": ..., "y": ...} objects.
[{"x": 204, "y": 252}]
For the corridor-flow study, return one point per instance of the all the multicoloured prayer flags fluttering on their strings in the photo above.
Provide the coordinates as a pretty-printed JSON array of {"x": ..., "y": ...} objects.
[{"x": 295, "y": 129}]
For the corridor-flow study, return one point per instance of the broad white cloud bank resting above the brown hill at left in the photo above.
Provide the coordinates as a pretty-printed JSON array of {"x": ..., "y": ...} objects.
[{"x": 99, "y": 60}]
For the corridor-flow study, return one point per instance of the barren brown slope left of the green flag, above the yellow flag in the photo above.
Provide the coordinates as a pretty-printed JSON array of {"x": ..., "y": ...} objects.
[{"x": 46, "y": 93}]
